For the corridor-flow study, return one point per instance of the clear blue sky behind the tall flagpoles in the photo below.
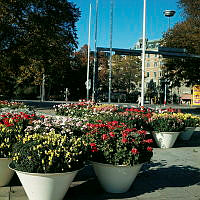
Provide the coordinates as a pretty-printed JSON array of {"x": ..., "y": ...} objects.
[{"x": 127, "y": 21}]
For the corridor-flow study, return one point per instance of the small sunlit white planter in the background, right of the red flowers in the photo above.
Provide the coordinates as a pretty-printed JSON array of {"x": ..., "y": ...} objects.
[{"x": 165, "y": 139}]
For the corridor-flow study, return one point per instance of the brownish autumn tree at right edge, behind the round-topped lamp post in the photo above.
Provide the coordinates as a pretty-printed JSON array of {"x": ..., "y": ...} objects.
[{"x": 185, "y": 34}]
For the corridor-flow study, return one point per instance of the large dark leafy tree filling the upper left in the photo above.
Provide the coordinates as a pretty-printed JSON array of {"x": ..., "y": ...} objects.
[{"x": 37, "y": 37}]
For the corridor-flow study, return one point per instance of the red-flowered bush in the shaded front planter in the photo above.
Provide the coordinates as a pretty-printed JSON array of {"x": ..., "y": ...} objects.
[{"x": 113, "y": 142}]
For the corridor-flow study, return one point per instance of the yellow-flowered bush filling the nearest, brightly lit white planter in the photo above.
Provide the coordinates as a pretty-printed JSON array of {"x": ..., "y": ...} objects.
[{"x": 51, "y": 152}]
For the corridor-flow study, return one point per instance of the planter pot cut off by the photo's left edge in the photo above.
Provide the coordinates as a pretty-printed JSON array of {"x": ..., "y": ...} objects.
[{"x": 6, "y": 174}]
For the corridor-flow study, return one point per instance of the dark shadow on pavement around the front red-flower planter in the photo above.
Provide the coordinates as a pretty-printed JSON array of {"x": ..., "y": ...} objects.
[{"x": 153, "y": 177}]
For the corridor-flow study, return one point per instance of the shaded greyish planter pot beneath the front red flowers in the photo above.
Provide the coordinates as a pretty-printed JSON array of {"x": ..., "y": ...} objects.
[{"x": 116, "y": 179}]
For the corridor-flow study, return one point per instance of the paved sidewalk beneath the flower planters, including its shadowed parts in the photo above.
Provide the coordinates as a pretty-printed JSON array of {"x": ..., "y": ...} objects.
[{"x": 173, "y": 174}]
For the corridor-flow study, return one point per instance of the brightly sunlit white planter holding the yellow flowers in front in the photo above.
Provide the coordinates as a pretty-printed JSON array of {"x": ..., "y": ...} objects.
[{"x": 49, "y": 186}]
